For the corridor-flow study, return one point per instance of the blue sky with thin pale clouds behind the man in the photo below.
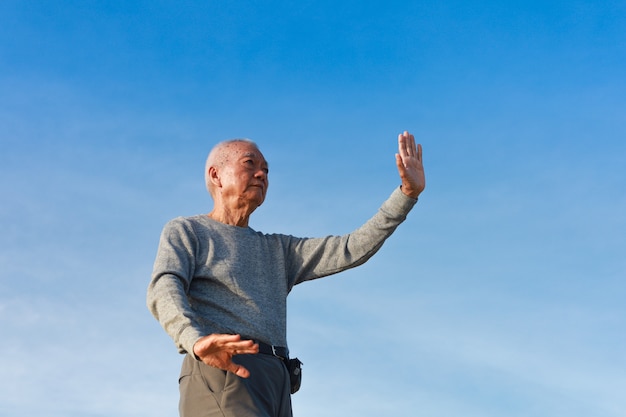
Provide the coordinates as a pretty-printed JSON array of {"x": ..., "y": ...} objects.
[{"x": 502, "y": 294}]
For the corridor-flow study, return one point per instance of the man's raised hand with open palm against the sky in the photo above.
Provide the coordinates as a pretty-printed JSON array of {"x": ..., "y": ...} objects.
[{"x": 410, "y": 168}]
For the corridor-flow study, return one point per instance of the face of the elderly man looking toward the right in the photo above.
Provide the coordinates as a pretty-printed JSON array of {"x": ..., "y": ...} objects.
[{"x": 244, "y": 175}]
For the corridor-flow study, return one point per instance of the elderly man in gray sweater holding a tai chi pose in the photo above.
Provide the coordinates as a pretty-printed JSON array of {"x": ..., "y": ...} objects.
[{"x": 219, "y": 288}]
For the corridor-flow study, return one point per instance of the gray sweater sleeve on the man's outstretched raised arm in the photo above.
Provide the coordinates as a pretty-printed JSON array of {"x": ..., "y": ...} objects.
[{"x": 318, "y": 257}]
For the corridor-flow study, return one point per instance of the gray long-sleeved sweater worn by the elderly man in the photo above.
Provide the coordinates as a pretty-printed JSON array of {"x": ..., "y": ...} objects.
[{"x": 210, "y": 277}]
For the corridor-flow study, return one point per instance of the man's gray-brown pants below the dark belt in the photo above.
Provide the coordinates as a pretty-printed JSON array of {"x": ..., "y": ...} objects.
[{"x": 210, "y": 392}]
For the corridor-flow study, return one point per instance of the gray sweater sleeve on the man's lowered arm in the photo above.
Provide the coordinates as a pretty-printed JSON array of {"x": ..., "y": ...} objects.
[{"x": 172, "y": 273}]
